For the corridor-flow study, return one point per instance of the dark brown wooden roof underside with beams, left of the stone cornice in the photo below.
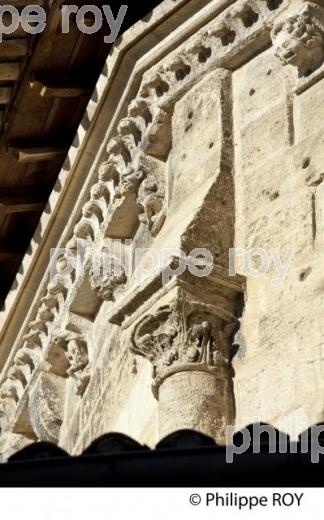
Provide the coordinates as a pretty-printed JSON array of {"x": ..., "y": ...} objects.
[{"x": 46, "y": 81}]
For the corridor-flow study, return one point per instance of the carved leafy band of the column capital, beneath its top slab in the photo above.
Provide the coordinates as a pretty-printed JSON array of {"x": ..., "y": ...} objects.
[{"x": 183, "y": 338}]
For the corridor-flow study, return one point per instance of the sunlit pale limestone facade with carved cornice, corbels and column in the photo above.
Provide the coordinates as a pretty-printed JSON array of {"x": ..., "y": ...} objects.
[{"x": 214, "y": 141}]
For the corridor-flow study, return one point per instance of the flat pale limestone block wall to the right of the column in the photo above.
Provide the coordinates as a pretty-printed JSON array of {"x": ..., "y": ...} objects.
[{"x": 278, "y": 190}]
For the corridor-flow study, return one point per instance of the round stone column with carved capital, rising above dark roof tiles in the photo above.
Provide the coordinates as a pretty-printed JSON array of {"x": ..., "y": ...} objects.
[{"x": 186, "y": 335}]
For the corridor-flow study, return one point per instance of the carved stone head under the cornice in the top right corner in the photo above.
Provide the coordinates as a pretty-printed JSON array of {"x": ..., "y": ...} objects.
[{"x": 298, "y": 40}]
